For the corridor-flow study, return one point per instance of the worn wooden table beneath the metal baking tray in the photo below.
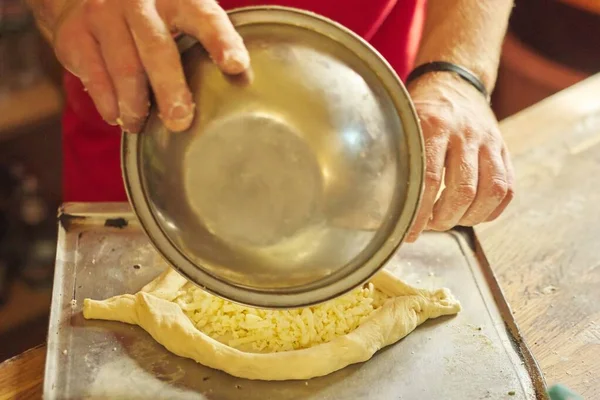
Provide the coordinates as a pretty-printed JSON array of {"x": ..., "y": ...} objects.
[{"x": 545, "y": 249}]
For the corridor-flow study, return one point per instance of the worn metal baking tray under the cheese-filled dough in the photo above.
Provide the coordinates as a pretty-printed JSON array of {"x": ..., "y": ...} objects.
[{"x": 478, "y": 354}]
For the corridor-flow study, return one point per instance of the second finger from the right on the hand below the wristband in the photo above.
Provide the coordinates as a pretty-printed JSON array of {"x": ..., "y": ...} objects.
[{"x": 491, "y": 189}]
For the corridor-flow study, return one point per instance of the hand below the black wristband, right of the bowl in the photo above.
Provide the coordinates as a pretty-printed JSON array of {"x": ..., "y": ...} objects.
[{"x": 461, "y": 135}]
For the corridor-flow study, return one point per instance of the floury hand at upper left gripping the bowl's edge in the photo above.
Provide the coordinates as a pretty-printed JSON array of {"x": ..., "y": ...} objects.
[{"x": 117, "y": 47}]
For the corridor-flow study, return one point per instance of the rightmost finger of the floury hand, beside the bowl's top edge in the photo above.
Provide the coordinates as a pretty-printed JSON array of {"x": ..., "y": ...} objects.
[{"x": 209, "y": 23}]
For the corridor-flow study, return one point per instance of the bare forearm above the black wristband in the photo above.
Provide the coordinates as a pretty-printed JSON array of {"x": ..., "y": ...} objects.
[{"x": 468, "y": 33}]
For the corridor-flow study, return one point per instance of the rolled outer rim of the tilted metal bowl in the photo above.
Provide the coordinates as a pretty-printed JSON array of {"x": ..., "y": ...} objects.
[{"x": 280, "y": 298}]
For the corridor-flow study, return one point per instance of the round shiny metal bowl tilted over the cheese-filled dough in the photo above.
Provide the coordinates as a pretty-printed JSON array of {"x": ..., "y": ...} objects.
[{"x": 296, "y": 181}]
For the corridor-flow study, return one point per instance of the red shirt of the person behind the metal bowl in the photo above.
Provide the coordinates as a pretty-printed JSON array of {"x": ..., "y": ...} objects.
[{"x": 91, "y": 148}]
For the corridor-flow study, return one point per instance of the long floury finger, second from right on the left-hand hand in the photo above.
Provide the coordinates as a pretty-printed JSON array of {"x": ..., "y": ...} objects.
[{"x": 160, "y": 58}]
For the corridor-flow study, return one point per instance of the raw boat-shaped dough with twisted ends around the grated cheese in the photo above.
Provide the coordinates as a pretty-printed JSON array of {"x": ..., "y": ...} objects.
[{"x": 154, "y": 309}]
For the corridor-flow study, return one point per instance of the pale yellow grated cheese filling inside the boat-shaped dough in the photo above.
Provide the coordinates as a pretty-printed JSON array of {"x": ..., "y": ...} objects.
[{"x": 269, "y": 331}]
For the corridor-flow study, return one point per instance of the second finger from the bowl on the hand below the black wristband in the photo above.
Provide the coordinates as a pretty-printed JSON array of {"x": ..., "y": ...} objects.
[{"x": 461, "y": 186}]
